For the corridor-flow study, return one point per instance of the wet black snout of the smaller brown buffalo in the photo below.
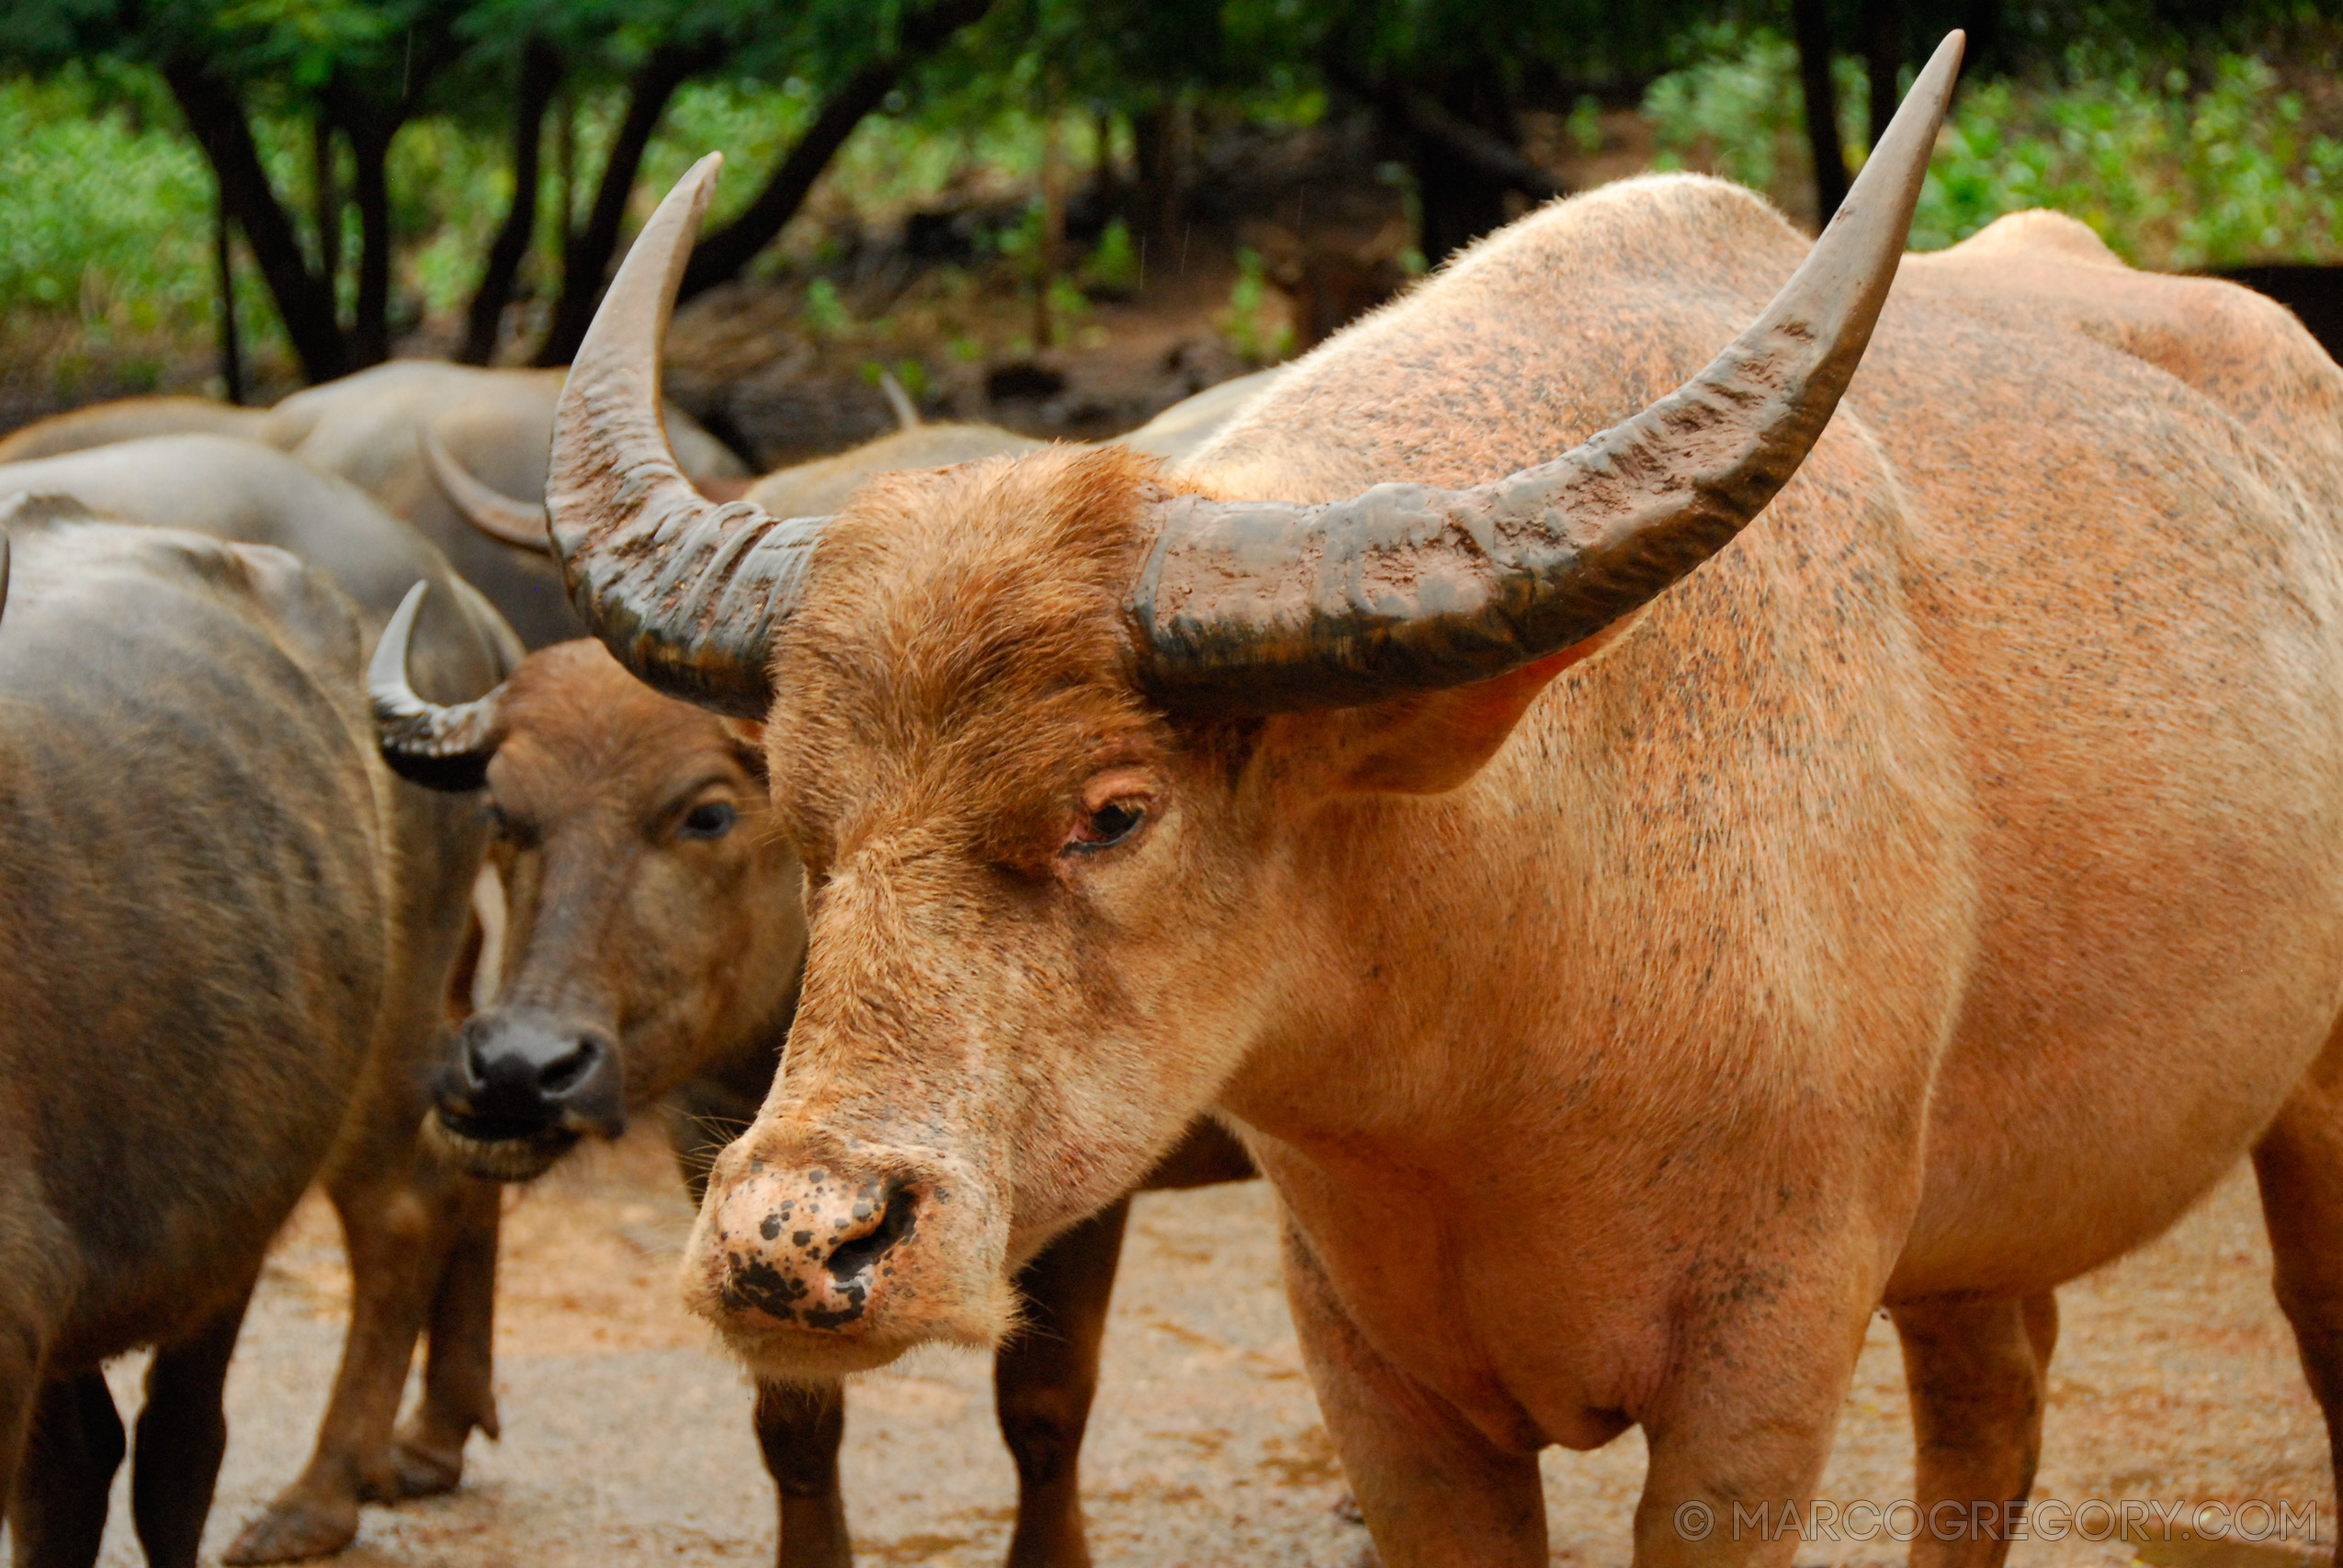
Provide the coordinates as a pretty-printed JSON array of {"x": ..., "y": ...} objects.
[{"x": 521, "y": 1089}]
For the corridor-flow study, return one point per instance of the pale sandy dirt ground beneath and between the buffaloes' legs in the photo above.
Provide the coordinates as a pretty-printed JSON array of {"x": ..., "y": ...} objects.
[{"x": 627, "y": 1438}]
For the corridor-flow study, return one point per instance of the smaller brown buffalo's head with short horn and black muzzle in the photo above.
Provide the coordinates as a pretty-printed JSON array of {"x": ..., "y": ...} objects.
[{"x": 655, "y": 925}]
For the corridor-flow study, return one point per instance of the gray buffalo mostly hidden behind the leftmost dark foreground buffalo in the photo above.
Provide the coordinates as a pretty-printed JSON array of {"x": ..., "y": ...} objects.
[{"x": 421, "y": 1234}]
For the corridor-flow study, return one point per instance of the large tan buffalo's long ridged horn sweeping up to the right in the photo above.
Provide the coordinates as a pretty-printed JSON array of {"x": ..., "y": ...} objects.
[{"x": 1264, "y": 608}]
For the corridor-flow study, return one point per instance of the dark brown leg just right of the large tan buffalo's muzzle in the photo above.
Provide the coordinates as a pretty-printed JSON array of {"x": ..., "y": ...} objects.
[{"x": 1044, "y": 1382}]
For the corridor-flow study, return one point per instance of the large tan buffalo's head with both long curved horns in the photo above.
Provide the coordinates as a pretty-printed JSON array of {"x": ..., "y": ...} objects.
[{"x": 1051, "y": 735}]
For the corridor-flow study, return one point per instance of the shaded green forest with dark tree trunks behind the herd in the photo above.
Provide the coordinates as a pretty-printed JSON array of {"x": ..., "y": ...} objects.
[{"x": 1048, "y": 212}]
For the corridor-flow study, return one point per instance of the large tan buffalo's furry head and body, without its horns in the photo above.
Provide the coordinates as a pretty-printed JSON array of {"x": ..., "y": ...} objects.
[{"x": 1922, "y": 904}]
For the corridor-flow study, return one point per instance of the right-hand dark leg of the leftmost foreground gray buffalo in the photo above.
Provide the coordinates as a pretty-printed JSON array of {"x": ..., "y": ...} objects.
[{"x": 182, "y": 1440}]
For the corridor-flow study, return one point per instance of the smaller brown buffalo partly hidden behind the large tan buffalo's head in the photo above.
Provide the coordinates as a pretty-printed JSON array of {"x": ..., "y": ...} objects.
[{"x": 653, "y": 953}]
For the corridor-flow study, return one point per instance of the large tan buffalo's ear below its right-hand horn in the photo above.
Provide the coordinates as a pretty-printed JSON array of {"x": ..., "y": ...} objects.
[{"x": 1433, "y": 742}]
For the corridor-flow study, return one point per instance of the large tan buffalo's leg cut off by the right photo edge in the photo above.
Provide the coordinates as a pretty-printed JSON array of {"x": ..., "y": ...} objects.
[{"x": 2300, "y": 1166}]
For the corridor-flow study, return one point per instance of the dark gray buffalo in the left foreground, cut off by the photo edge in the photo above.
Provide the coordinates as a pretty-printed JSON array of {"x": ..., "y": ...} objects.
[{"x": 221, "y": 948}]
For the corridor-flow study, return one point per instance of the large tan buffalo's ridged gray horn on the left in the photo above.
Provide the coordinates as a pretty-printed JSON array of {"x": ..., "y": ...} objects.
[{"x": 681, "y": 589}]
